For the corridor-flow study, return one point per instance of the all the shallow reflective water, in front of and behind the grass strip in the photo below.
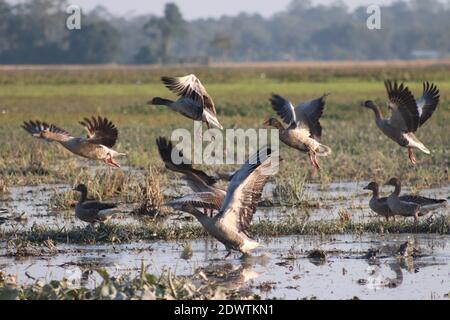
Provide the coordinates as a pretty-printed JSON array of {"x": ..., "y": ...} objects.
[{"x": 367, "y": 267}]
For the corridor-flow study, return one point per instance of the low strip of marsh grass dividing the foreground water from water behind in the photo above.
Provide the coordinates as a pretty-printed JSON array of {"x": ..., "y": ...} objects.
[{"x": 151, "y": 230}]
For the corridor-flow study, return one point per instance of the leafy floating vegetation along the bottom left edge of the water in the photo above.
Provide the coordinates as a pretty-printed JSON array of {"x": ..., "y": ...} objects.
[{"x": 145, "y": 286}]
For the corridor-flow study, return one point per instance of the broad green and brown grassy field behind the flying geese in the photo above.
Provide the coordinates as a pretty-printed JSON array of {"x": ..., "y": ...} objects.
[{"x": 65, "y": 96}]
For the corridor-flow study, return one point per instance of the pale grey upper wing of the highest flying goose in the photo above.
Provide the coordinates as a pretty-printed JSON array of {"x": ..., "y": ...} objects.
[{"x": 190, "y": 87}]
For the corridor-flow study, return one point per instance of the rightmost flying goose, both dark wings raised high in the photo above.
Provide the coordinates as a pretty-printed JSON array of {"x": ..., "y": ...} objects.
[{"x": 407, "y": 115}]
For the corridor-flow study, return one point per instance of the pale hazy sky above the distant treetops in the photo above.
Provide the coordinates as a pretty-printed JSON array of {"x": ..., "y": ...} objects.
[{"x": 192, "y": 9}]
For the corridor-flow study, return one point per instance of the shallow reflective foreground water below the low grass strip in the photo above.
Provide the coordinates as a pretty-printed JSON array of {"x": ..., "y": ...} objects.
[{"x": 279, "y": 270}]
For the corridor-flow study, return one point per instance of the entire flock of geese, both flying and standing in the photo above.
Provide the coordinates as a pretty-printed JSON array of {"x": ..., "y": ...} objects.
[{"x": 235, "y": 206}]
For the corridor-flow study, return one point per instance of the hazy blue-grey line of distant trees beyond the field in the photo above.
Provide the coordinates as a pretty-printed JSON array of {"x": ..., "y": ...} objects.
[{"x": 34, "y": 32}]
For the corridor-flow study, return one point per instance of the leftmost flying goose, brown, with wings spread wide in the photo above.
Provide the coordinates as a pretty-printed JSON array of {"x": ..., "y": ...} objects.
[{"x": 101, "y": 137}]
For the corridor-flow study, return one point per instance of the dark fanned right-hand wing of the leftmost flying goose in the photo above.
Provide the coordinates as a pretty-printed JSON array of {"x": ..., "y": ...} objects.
[{"x": 100, "y": 131}]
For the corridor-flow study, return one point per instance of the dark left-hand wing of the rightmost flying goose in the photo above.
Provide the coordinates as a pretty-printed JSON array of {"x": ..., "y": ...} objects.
[{"x": 405, "y": 115}]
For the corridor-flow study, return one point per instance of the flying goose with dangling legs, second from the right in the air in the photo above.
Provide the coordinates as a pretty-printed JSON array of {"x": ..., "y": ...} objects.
[{"x": 304, "y": 131}]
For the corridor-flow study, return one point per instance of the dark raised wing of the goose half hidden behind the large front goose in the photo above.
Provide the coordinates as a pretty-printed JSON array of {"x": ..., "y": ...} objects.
[{"x": 196, "y": 178}]
